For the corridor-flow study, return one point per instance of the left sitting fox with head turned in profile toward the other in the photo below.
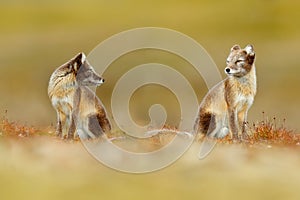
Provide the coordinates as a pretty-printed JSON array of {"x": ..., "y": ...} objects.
[{"x": 74, "y": 102}]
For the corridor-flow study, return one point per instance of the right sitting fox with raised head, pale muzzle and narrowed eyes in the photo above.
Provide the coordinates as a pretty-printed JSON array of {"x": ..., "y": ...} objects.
[{"x": 225, "y": 107}]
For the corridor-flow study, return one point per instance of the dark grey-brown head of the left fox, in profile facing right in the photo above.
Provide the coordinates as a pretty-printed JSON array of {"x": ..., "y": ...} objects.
[{"x": 84, "y": 73}]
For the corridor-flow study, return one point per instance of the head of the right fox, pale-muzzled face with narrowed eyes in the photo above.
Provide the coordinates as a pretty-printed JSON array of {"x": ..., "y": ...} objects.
[{"x": 240, "y": 61}]
